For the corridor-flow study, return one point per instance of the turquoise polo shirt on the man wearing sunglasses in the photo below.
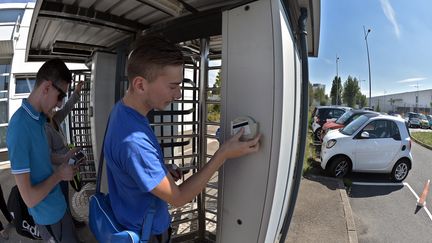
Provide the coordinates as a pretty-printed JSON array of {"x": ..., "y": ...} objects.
[{"x": 29, "y": 153}]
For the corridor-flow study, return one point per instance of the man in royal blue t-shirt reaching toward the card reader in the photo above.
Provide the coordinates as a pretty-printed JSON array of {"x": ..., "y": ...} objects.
[{"x": 135, "y": 164}]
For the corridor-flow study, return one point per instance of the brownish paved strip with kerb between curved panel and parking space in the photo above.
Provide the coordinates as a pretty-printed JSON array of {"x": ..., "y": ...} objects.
[{"x": 322, "y": 212}]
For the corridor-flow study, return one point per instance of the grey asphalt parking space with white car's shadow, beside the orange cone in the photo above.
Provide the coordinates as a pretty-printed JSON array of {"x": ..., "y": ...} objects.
[{"x": 387, "y": 212}]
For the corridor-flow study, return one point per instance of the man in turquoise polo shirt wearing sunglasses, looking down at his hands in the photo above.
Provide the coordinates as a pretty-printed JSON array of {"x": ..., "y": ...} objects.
[{"x": 30, "y": 158}]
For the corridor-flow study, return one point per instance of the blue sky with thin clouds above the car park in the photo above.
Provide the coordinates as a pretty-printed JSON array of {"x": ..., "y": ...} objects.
[{"x": 400, "y": 46}]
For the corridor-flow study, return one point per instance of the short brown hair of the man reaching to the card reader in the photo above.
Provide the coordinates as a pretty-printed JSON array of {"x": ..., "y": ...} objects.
[{"x": 150, "y": 54}]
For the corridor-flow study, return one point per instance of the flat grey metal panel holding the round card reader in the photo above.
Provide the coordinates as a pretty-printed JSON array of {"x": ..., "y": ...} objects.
[{"x": 248, "y": 89}]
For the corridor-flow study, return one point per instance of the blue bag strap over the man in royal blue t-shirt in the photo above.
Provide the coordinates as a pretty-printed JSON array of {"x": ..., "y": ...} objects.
[{"x": 148, "y": 219}]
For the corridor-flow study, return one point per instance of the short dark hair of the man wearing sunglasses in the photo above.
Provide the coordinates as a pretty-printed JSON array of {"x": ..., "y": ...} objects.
[{"x": 54, "y": 70}]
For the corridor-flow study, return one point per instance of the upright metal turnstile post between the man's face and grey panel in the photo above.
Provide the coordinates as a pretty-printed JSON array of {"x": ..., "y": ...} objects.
[{"x": 202, "y": 150}]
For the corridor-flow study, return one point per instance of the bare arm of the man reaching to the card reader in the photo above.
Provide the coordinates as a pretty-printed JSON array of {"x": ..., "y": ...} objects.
[{"x": 177, "y": 196}]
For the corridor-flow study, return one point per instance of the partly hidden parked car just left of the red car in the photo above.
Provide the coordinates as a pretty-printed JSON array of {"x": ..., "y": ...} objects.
[{"x": 322, "y": 114}]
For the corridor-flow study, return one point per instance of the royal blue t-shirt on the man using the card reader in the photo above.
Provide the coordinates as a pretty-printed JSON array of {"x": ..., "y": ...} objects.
[{"x": 135, "y": 166}]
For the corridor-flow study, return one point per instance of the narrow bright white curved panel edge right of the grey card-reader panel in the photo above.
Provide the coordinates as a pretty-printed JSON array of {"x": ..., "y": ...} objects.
[{"x": 287, "y": 118}]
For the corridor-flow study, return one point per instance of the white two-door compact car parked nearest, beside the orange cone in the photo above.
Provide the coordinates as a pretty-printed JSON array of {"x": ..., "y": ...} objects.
[{"x": 371, "y": 143}]
